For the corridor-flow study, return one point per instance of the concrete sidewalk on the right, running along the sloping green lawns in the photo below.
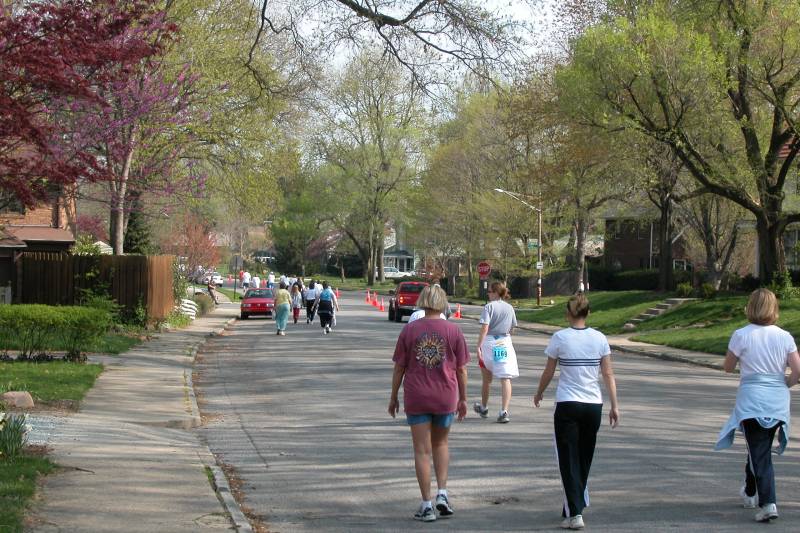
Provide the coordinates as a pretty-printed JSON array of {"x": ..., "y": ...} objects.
[{"x": 621, "y": 343}]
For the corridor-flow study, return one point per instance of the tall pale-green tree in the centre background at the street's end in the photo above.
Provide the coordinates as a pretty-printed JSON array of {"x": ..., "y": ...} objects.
[{"x": 371, "y": 146}]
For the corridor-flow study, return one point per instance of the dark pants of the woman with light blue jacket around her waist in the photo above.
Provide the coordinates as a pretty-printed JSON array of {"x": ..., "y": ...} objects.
[{"x": 759, "y": 476}]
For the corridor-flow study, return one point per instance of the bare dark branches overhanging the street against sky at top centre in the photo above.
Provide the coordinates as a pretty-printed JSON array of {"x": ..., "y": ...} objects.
[{"x": 421, "y": 35}]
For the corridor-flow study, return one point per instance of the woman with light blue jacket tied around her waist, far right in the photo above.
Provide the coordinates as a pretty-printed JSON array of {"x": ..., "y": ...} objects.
[{"x": 762, "y": 350}]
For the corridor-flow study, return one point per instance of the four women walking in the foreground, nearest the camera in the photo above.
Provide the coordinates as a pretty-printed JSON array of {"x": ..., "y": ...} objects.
[{"x": 430, "y": 362}]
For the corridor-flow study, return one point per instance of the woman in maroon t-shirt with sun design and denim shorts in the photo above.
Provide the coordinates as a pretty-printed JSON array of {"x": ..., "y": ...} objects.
[{"x": 430, "y": 361}]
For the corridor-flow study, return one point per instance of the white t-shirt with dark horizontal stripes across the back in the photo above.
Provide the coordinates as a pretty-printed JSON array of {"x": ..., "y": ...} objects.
[{"x": 579, "y": 352}]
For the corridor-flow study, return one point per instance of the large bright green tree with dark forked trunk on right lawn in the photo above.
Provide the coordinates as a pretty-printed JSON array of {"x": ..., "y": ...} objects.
[{"x": 717, "y": 82}]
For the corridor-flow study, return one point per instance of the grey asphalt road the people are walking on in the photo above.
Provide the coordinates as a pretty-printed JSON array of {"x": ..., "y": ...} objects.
[{"x": 303, "y": 420}]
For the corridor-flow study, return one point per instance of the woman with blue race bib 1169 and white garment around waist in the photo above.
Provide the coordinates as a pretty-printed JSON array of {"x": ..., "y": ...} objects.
[{"x": 496, "y": 356}]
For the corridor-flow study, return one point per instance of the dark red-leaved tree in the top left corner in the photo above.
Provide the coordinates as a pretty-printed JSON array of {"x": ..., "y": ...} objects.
[{"x": 82, "y": 41}]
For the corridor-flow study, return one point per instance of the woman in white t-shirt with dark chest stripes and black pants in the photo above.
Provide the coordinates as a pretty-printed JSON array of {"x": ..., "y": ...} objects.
[{"x": 583, "y": 354}]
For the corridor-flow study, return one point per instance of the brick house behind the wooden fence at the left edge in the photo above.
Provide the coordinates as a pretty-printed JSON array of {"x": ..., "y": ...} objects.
[{"x": 48, "y": 227}]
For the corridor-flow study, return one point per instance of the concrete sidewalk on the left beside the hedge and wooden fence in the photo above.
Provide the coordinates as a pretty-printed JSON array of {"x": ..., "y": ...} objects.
[{"x": 130, "y": 461}]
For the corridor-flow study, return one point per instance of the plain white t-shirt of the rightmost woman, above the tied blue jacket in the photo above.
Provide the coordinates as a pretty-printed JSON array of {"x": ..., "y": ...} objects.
[{"x": 762, "y": 349}]
